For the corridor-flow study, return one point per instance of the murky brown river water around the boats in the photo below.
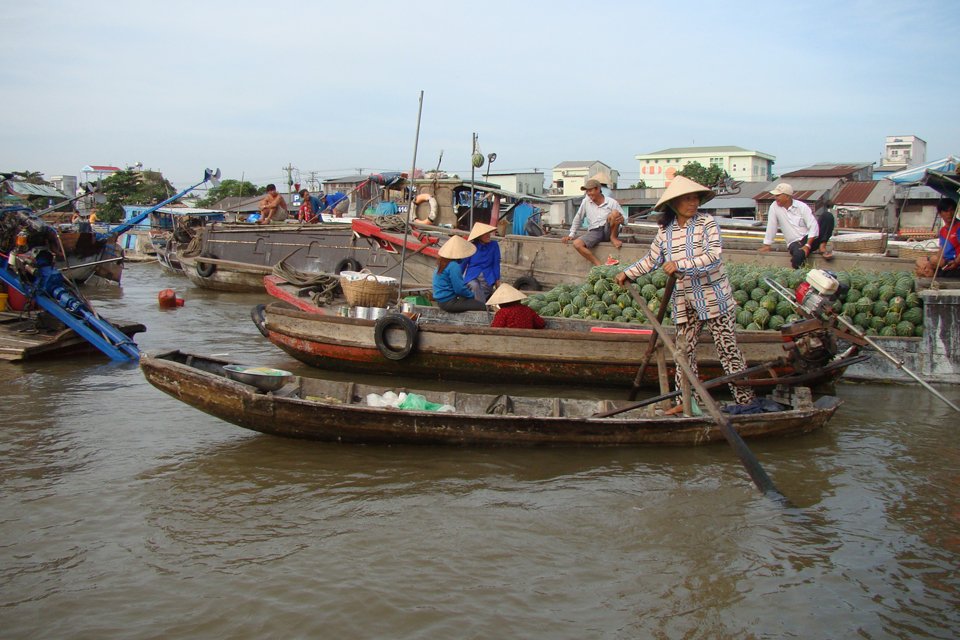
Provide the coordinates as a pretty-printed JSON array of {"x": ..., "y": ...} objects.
[{"x": 126, "y": 514}]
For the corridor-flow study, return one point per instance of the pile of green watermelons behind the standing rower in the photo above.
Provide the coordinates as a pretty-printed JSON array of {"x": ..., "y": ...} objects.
[{"x": 878, "y": 304}]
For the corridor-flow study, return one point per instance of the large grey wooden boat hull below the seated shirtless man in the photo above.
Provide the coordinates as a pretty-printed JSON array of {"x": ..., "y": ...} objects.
[{"x": 236, "y": 257}]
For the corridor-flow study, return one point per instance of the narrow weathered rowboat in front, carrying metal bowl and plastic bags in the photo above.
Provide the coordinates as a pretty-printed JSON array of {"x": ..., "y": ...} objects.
[{"x": 316, "y": 409}]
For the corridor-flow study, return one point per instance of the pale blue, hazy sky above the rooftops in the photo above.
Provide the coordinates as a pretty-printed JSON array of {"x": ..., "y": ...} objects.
[{"x": 330, "y": 88}]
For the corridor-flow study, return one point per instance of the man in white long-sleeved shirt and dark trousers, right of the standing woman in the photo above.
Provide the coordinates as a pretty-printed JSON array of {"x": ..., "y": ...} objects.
[{"x": 802, "y": 232}]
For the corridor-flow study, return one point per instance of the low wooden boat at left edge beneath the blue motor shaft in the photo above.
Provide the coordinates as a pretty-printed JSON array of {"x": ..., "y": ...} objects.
[{"x": 32, "y": 337}]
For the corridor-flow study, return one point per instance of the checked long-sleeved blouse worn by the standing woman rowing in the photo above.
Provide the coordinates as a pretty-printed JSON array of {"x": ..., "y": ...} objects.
[{"x": 702, "y": 285}]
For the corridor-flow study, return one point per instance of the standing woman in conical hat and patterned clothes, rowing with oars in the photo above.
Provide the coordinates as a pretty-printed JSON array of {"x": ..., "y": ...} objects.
[{"x": 688, "y": 246}]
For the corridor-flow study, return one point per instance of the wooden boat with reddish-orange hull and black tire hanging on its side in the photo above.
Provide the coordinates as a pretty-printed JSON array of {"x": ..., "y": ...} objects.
[{"x": 568, "y": 351}]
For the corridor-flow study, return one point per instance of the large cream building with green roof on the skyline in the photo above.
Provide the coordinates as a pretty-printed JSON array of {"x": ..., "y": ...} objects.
[{"x": 658, "y": 168}]
